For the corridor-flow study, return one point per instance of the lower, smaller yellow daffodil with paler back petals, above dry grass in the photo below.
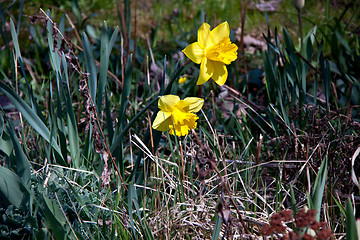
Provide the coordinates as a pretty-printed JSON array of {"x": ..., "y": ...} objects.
[{"x": 177, "y": 115}]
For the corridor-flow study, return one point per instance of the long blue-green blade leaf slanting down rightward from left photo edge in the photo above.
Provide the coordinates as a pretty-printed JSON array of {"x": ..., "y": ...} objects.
[{"x": 30, "y": 116}]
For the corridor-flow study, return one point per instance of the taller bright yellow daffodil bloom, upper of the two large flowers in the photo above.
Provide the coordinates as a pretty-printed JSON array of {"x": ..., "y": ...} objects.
[{"x": 212, "y": 51}]
